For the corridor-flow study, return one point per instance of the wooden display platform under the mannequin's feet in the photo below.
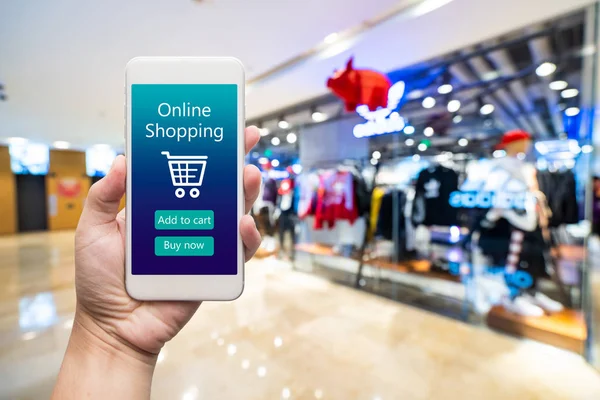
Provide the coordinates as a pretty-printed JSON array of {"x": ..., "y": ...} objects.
[{"x": 565, "y": 329}]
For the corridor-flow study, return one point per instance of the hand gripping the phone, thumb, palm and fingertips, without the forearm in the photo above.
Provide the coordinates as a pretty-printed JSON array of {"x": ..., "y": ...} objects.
[{"x": 104, "y": 308}]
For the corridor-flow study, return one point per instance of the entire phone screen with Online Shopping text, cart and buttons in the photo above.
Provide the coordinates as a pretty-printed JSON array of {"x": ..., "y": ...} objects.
[{"x": 184, "y": 176}]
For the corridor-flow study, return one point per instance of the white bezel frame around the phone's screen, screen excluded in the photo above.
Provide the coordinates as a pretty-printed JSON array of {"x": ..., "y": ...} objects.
[{"x": 186, "y": 70}]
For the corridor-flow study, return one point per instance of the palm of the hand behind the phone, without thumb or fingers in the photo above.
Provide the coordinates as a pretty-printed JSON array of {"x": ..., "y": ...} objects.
[{"x": 100, "y": 261}]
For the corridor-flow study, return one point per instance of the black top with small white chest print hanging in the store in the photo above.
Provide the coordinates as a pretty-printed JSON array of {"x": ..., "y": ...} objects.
[{"x": 432, "y": 197}]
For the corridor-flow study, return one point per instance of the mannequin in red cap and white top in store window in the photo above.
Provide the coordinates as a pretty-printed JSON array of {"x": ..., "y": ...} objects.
[{"x": 513, "y": 177}]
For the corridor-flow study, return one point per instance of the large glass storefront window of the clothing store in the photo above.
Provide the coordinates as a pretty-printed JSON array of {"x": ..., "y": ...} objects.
[{"x": 466, "y": 195}]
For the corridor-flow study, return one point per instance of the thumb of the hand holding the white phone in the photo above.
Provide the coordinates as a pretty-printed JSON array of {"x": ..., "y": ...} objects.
[{"x": 104, "y": 197}]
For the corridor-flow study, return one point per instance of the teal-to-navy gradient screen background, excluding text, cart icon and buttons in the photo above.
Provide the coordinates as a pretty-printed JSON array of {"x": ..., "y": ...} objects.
[{"x": 152, "y": 188}]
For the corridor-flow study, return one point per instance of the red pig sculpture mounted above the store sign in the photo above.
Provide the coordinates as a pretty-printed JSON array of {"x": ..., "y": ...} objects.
[{"x": 360, "y": 86}]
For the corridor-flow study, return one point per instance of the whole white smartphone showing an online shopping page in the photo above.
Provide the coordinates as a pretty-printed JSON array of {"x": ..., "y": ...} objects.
[{"x": 184, "y": 124}]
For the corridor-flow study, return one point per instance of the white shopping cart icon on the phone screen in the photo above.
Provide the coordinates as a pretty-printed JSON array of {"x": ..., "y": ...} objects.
[{"x": 186, "y": 171}]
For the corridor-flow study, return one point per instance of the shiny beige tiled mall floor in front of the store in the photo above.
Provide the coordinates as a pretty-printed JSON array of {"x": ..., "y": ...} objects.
[{"x": 290, "y": 335}]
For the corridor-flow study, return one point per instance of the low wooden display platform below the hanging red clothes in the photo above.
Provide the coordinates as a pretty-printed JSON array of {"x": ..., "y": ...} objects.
[{"x": 417, "y": 267}]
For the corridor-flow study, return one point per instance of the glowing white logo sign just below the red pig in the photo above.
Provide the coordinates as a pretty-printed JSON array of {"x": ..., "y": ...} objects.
[{"x": 383, "y": 120}]
